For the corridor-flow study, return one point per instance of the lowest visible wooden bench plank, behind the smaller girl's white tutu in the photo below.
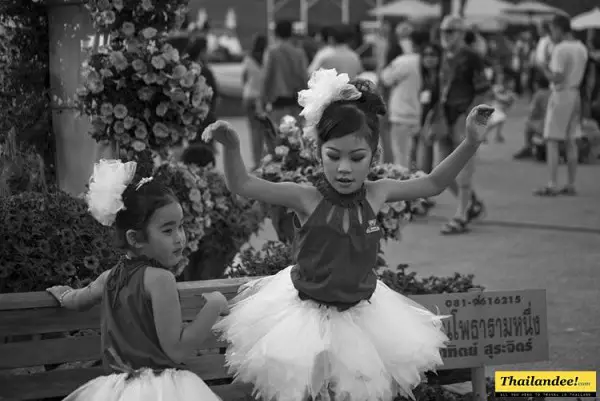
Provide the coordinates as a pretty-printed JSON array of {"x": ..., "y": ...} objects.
[{"x": 58, "y": 383}]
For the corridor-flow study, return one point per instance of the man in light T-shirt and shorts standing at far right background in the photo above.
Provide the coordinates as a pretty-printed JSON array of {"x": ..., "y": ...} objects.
[{"x": 565, "y": 71}]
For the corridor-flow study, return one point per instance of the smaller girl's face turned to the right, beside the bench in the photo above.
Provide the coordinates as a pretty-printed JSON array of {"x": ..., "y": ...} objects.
[{"x": 165, "y": 238}]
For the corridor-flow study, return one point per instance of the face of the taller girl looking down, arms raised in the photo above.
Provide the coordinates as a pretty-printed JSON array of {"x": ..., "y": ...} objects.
[{"x": 346, "y": 162}]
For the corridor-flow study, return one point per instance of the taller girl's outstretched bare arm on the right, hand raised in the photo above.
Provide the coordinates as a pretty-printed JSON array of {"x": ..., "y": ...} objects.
[{"x": 443, "y": 175}]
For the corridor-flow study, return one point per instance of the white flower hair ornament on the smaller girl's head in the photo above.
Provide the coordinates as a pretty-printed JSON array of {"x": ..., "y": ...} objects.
[{"x": 106, "y": 187}]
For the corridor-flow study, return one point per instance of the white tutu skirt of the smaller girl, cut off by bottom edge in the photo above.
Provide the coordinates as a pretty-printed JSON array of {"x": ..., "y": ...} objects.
[{"x": 170, "y": 385}]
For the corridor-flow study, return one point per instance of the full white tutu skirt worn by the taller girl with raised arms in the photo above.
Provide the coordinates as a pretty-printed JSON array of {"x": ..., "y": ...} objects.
[{"x": 290, "y": 348}]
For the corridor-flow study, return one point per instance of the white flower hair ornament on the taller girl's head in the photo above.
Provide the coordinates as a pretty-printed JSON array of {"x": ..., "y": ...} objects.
[{"x": 324, "y": 88}]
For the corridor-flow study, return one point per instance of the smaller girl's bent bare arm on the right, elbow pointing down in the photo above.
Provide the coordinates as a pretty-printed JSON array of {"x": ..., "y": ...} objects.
[{"x": 179, "y": 341}]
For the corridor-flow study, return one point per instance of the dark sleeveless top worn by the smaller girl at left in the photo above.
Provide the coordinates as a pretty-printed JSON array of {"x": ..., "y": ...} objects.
[{"x": 129, "y": 338}]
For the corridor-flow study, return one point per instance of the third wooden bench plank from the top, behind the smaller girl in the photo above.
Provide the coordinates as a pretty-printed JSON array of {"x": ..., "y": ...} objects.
[{"x": 64, "y": 350}]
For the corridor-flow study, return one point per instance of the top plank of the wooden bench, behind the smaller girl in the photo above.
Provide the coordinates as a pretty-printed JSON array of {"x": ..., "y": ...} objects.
[{"x": 41, "y": 299}]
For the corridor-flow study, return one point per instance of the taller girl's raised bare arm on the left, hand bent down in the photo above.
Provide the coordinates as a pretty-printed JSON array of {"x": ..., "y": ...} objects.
[{"x": 239, "y": 181}]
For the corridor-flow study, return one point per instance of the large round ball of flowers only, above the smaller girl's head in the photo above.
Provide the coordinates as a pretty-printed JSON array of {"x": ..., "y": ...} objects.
[{"x": 144, "y": 96}]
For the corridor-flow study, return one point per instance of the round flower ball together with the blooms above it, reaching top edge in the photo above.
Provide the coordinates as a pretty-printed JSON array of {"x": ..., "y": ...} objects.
[{"x": 139, "y": 91}]
